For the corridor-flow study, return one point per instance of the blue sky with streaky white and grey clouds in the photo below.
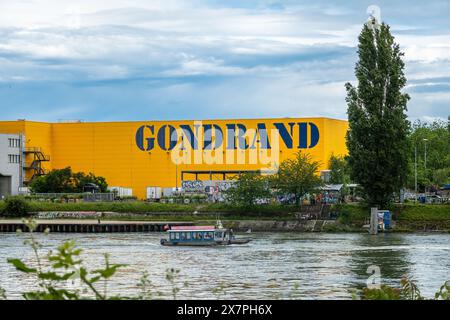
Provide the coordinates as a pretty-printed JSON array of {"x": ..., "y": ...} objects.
[{"x": 171, "y": 59}]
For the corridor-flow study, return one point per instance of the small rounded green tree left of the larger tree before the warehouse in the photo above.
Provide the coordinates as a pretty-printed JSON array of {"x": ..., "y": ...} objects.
[{"x": 247, "y": 189}]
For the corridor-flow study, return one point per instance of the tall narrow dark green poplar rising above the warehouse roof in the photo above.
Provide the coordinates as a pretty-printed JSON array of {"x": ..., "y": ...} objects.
[{"x": 378, "y": 126}]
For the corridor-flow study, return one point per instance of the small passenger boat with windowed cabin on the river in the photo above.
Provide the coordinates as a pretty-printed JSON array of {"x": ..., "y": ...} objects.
[{"x": 201, "y": 236}]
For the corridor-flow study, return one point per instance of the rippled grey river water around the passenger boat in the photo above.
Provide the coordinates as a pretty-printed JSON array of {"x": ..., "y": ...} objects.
[{"x": 272, "y": 266}]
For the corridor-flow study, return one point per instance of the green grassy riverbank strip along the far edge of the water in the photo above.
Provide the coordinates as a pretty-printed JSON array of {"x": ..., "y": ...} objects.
[{"x": 407, "y": 217}]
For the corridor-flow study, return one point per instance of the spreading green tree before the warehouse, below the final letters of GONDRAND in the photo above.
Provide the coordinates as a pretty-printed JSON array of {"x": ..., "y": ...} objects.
[{"x": 298, "y": 176}]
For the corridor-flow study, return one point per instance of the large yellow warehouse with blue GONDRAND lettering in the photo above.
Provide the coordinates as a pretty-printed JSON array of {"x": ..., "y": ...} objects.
[{"x": 140, "y": 154}]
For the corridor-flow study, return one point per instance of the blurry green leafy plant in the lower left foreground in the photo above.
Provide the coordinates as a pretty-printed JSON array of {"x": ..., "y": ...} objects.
[{"x": 63, "y": 276}]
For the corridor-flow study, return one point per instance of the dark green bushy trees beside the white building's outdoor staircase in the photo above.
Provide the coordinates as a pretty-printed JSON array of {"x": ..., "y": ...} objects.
[{"x": 66, "y": 181}]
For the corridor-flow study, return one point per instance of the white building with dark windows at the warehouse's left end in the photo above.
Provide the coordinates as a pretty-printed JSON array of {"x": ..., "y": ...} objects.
[{"x": 11, "y": 164}]
